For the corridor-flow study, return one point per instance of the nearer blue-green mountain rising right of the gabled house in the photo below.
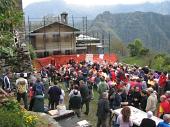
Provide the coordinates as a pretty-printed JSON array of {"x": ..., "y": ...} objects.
[{"x": 152, "y": 28}]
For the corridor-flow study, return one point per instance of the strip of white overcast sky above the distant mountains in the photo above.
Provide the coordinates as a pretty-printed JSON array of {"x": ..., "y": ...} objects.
[{"x": 94, "y": 2}]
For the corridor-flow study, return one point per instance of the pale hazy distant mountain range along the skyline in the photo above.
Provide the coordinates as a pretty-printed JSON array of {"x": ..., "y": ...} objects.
[{"x": 55, "y": 7}]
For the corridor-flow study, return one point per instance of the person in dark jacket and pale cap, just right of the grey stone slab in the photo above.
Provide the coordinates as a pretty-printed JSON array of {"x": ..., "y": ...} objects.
[{"x": 75, "y": 103}]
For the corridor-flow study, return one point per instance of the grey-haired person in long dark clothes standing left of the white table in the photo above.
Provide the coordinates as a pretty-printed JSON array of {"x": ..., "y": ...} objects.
[{"x": 103, "y": 110}]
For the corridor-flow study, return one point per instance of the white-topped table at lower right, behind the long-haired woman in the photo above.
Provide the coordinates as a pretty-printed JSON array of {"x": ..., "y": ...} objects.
[{"x": 137, "y": 115}]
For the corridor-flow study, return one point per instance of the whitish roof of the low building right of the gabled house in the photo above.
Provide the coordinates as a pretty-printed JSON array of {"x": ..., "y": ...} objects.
[{"x": 82, "y": 37}]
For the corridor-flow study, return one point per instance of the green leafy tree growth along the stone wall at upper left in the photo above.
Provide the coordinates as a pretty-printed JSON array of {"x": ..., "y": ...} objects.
[{"x": 10, "y": 19}]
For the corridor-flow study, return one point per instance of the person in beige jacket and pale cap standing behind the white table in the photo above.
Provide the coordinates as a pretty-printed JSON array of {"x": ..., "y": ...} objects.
[{"x": 152, "y": 101}]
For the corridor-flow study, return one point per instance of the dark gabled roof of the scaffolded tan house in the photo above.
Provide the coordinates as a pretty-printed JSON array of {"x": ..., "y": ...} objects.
[{"x": 54, "y": 23}]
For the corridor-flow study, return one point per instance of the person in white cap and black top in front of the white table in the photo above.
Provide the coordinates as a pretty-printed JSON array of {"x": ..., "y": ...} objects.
[{"x": 148, "y": 122}]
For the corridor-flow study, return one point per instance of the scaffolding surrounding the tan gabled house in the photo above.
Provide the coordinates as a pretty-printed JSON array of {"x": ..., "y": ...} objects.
[{"x": 58, "y": 44}]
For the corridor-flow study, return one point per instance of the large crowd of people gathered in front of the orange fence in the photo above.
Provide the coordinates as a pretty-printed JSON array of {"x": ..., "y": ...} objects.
[{"x": 118, "y": 85}]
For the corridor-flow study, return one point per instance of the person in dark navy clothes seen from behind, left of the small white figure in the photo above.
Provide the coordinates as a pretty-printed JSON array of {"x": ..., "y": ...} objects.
[{"x": 54, "y": 96}]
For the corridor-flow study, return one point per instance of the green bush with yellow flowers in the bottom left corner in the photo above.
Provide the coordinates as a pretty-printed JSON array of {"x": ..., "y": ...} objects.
[{"x": 12, "y": 115}]
